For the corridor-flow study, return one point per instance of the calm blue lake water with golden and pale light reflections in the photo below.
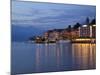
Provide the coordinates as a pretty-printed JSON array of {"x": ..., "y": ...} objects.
[{"x": 34, "y": 58}]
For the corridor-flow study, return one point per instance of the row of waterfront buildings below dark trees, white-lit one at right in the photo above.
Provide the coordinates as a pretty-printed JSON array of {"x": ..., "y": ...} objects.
[{"x": 84, "y": 31}]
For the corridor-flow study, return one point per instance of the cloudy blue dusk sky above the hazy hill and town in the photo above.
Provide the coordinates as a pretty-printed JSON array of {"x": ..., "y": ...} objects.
[{"x": 49, "y": 15}]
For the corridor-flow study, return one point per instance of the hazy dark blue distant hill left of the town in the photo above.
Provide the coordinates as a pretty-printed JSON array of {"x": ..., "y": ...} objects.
[{"x": 20, "y": 33}]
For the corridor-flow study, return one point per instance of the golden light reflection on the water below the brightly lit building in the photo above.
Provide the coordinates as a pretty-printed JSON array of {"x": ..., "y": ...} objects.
[{"x": 84, "y": 54}]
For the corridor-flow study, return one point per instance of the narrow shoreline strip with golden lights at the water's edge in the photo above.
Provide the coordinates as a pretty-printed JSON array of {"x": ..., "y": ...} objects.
[{"x": 79, "y": 40}]
